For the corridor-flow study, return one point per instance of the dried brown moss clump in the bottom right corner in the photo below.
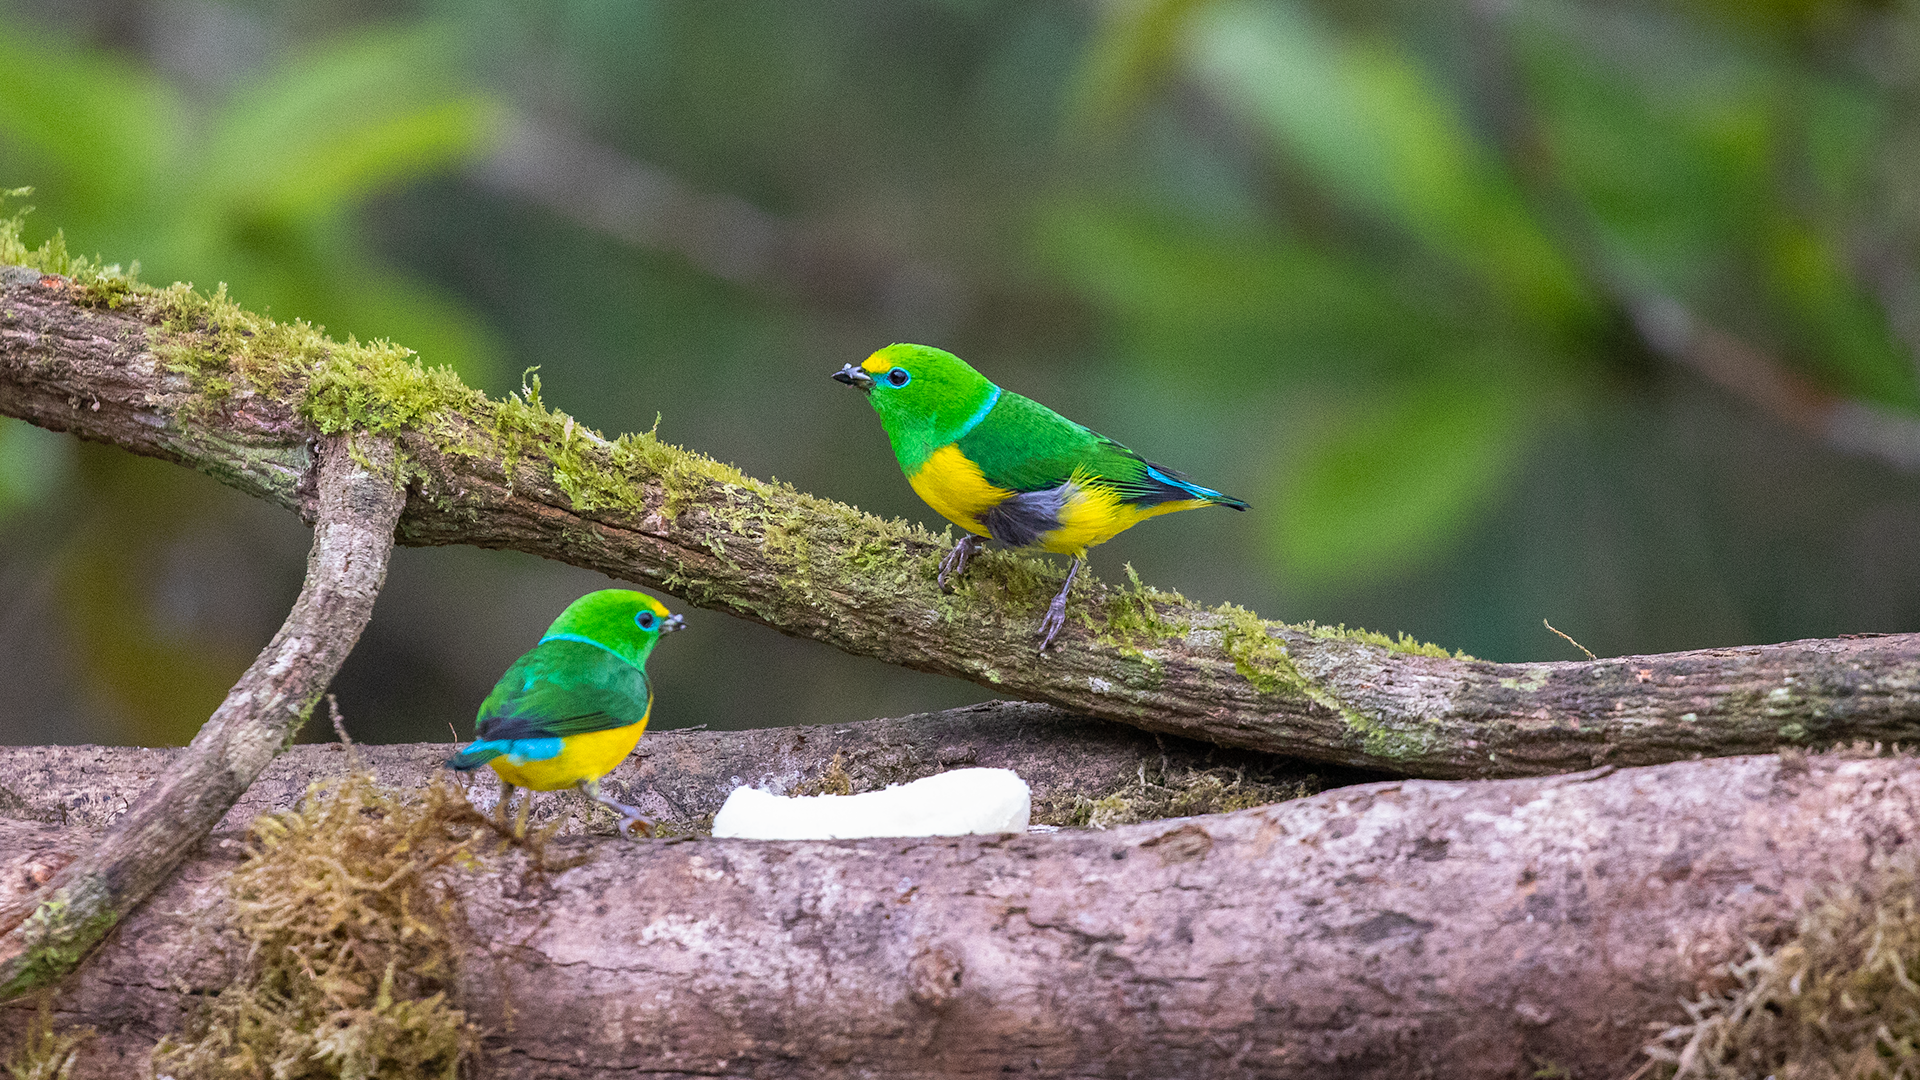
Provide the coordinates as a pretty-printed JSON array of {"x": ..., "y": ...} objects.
[{"x": 1838, "y": 1002}]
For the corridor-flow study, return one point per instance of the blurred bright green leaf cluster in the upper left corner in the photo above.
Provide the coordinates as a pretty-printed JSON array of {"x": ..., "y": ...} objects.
[{"x": 262, "y": 189}]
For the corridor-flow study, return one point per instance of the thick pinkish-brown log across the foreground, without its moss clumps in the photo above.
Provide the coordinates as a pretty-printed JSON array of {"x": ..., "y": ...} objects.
[{"x": 1397, "y": 929}]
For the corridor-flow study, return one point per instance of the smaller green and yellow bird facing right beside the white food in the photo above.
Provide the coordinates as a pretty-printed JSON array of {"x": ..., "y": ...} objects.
[{"x": 573, "y": 706}]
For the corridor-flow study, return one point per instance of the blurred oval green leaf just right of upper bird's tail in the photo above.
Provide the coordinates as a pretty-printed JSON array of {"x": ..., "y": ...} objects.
[{"x": 1399, "y": 479}]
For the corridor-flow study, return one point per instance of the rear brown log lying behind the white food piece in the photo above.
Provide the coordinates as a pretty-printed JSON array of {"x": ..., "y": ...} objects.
[{"x": 683, "y": 777}]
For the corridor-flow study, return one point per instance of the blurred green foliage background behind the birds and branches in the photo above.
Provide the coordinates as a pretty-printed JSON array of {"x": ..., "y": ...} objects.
[{"x": 1593, "y": 310}]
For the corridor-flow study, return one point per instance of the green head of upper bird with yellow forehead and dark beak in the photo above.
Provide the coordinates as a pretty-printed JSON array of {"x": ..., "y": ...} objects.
[{"x": 924, "y": 397}]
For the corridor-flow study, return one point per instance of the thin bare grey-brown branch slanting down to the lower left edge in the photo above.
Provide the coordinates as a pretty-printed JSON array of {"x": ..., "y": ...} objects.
[{"x": 356, "y": 503}]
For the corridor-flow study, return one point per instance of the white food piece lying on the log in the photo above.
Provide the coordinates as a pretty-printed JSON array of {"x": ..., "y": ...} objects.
[{"x": 953, "y": 804}]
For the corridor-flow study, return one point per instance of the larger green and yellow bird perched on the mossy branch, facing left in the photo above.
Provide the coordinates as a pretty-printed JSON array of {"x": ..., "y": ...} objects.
[{"x": 1009, "y": 468}]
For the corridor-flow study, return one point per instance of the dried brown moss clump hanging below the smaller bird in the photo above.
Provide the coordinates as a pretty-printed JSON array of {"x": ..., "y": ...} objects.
[{"x": 352, "y": 918}]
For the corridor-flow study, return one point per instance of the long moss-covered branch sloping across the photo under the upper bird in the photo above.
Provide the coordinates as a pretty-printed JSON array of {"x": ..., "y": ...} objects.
[{"x": 204, "y": 383}]
